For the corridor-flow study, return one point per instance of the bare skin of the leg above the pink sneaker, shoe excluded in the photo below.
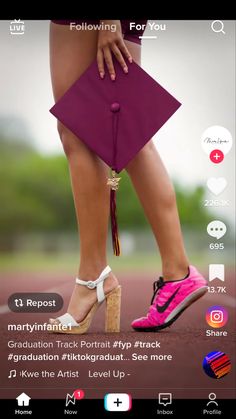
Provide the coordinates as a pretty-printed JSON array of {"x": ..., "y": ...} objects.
[{"x": 157, "y": 196}]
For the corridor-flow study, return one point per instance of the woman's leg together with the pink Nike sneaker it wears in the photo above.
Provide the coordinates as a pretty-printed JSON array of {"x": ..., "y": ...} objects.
[{"x": 182, "y": 284}]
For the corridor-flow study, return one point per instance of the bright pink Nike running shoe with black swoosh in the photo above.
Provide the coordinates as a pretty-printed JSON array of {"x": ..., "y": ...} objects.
[{"x": 170, "y": 299}]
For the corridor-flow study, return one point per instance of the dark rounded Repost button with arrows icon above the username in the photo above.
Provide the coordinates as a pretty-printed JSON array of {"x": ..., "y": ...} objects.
[{"x": 32, "y": 302}]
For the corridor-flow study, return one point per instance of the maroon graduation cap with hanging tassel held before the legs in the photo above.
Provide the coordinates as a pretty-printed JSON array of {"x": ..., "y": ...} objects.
[{"x": 115, "y": 118}]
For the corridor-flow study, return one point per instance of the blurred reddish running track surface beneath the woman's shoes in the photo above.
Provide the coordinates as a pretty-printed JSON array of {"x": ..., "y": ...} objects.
[{"x": 186, "y": 341}]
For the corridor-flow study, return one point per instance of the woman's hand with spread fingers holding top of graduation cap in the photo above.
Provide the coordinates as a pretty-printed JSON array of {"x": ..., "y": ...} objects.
[{"x": 111, "y": 43}]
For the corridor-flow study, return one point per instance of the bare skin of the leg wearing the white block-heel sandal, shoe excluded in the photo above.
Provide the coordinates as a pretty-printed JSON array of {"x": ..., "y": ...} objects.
[{"x": 71, "y": 52}]
